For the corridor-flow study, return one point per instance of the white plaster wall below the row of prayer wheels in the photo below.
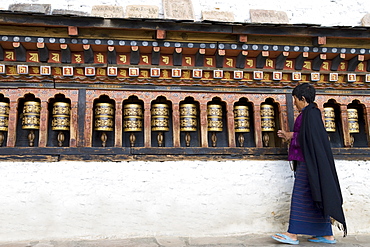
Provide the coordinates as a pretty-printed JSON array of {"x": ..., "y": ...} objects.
[{"x": 95, "y": 200}]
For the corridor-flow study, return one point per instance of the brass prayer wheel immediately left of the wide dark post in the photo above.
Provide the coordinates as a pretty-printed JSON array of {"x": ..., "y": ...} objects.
[{"x": 61, "y": 116}]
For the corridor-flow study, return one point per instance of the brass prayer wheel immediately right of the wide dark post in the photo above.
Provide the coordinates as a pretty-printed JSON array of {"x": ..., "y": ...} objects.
[{"x": 104, "y": 113}]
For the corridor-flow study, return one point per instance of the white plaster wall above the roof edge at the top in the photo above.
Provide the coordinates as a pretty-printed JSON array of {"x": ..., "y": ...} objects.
[{"x": 323, "y": 12}]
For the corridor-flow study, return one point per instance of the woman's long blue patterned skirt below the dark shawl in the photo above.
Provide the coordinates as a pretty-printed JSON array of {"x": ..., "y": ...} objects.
[{"x": 305, "y": 217}]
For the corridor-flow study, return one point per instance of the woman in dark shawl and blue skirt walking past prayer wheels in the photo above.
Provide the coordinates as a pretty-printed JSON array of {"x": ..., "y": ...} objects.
[{"x": 316, "y": 198}]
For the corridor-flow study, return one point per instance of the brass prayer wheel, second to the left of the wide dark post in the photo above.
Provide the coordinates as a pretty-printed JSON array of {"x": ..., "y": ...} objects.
[{"x": 31, "y": 115}]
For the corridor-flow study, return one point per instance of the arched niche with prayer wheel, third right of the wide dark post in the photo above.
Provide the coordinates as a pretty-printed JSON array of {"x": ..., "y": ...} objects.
[{"x": 161, "y": 122}]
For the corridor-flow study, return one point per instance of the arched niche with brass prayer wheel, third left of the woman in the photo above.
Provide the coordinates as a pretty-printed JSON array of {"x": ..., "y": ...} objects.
[{"x": 217, "y": 123}]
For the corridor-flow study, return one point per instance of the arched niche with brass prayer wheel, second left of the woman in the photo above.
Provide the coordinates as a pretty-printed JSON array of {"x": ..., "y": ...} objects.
[{"x": 244, "y": 123}]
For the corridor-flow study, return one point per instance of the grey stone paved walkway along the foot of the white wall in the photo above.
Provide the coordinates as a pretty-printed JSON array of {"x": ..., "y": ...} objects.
[{"x": 229, "y": 241}]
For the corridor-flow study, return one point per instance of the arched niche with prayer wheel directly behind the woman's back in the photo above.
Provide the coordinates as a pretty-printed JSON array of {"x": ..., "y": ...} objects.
[{"x": 333, "y": 126}]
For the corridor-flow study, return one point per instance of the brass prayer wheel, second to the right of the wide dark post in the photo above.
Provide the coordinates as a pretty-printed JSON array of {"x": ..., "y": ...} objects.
[{"x": 133, "y": 114}]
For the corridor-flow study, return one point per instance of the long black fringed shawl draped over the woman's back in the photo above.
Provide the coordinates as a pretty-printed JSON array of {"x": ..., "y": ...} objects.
[{"x": 322, "y": 174}]
